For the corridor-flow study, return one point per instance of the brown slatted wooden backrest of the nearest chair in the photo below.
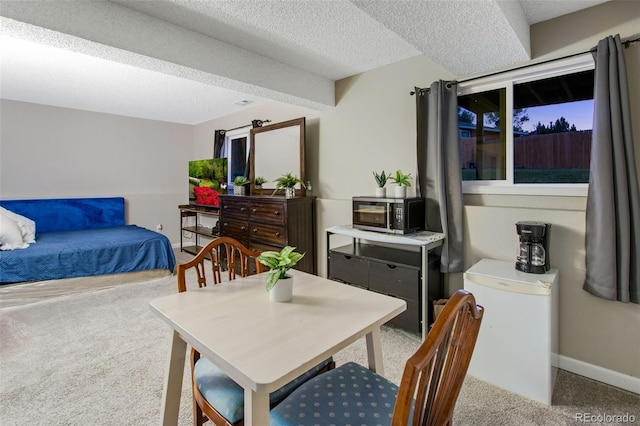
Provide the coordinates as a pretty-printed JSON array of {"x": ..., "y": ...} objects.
[{"x": 433, "y": 376}]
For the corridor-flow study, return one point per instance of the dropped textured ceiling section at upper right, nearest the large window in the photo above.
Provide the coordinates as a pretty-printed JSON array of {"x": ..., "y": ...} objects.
[{"x": 465, "y": 37}]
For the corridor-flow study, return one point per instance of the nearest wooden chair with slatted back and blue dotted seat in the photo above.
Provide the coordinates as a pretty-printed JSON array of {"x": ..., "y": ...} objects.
[{"x": 428, "y": 391}]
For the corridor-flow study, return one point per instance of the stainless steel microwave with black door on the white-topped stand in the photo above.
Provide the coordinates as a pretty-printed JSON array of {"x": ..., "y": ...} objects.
[{"x": 391, "y": 215}]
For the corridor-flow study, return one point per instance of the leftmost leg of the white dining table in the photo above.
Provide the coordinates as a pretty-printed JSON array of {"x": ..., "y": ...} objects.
[{"x": 173, "y": 382}]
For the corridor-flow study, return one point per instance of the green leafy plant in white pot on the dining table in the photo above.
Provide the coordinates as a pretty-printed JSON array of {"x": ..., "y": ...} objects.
[{"x": 279, "y": 284}]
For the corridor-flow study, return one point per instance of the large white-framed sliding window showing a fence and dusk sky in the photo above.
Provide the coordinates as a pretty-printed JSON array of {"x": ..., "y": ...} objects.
[{"x": 544, "y": 147}]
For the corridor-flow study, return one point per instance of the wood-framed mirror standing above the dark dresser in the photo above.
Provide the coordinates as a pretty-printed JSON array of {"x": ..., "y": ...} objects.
[{"x": 275, "y": 150}]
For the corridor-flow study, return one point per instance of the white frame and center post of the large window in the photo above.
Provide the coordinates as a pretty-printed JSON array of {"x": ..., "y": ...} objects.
[{"x": 507, "y": 80}]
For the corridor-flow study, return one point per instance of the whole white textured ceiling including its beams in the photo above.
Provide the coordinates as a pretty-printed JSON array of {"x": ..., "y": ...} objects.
[{"x": 189, "y": 61}]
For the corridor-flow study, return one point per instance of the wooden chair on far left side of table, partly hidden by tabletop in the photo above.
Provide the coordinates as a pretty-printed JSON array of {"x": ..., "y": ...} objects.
[{"x": 215, "y": 396}]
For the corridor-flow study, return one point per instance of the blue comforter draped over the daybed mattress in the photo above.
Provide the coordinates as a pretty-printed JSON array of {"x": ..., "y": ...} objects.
[{"x": 89, "y": 252}]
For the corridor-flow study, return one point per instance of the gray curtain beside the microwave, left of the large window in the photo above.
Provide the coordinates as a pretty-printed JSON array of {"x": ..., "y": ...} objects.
[{"x": 439, "y": 171}]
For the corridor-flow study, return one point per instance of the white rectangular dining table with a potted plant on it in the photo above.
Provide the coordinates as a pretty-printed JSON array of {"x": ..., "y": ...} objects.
[{"x": 262, "y": 345}]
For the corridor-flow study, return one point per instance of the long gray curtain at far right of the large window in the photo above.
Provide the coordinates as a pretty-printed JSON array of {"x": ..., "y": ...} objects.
[{"x": 613, "y": 204}]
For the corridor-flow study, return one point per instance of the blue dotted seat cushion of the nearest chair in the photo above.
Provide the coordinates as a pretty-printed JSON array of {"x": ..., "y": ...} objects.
[{"x": 347, "y": 395}]
